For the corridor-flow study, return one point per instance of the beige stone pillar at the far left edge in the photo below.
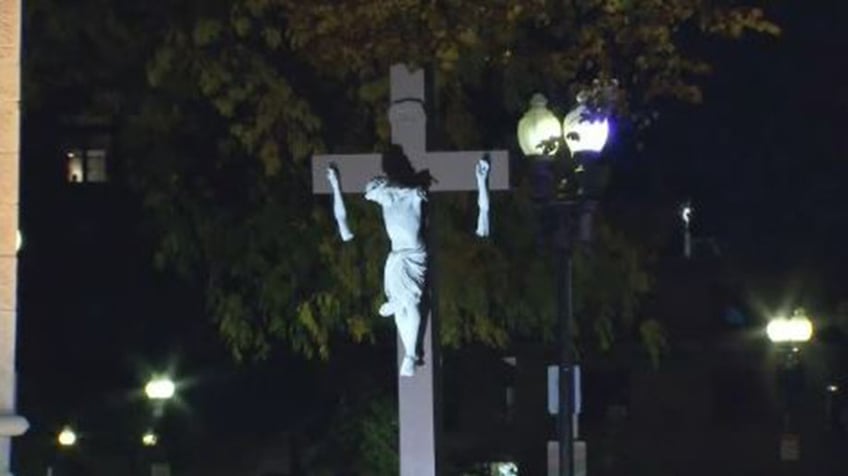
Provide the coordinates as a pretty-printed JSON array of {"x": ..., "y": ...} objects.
[{"x": 10, "y": 88}]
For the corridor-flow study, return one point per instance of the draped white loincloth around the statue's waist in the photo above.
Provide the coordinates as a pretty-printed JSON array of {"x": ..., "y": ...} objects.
[{"x": 404, "y": 276}]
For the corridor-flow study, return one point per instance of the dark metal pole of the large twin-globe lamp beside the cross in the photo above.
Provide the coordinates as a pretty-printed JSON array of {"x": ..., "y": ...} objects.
[{"x": 565, "y": 312}]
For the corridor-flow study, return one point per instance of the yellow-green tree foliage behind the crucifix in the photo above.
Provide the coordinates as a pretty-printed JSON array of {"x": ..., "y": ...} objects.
[{"x": 241, "y": 93}]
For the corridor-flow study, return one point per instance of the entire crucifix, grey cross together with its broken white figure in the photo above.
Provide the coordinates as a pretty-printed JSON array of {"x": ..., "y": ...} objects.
[{"x": 399, "y": 182}]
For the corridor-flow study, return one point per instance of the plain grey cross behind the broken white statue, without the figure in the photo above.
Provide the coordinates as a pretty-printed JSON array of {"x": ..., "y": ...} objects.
[{"x": 451, "y": 171}]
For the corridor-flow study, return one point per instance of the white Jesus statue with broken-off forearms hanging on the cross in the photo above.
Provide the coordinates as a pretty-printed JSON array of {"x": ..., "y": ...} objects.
[{"x": 401, "y": 199}]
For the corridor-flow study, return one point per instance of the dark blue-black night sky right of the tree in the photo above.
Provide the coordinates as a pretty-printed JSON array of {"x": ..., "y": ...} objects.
[{"x": 764, "y": 159}]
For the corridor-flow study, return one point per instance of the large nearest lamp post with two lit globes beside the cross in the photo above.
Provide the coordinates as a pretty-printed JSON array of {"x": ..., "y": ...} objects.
[{"x": 562, "y": 189}]
